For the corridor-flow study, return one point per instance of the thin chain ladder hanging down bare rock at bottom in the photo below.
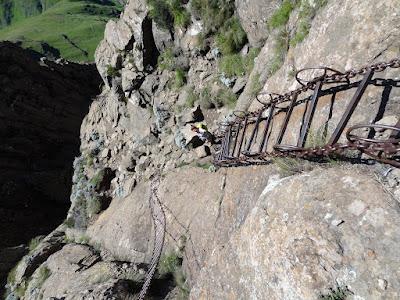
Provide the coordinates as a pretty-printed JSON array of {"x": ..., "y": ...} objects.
[{"x": 159, "y": 221}]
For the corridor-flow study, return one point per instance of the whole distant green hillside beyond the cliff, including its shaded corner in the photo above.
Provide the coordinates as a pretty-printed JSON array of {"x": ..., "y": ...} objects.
[{"x": 57, "y": 28}]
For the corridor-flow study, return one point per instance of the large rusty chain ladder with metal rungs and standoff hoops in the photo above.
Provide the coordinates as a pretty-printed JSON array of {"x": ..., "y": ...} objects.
[{"x": 236, "y": 149}]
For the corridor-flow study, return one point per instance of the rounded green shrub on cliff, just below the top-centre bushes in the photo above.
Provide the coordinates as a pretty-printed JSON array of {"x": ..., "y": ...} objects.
[{"x": 231, "y": 37}]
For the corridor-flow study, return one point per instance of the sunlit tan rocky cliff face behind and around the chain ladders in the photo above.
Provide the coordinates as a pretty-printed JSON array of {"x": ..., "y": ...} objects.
[{"x": 239, "y": 233}]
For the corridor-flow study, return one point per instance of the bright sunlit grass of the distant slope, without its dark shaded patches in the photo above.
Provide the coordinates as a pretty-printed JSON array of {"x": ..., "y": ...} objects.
[{"x": 81, "y": 21}]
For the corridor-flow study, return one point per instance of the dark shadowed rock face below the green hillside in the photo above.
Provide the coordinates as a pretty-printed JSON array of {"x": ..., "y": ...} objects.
[{"x": 41, "y": 108}]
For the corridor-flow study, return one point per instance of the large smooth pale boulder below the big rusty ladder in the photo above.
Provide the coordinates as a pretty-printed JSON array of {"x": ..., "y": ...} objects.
[{"x": 288, "y": 249}]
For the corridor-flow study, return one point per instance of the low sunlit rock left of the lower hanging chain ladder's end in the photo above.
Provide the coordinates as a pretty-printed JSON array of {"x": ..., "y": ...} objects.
[{"x": 76, "y": 272}]
